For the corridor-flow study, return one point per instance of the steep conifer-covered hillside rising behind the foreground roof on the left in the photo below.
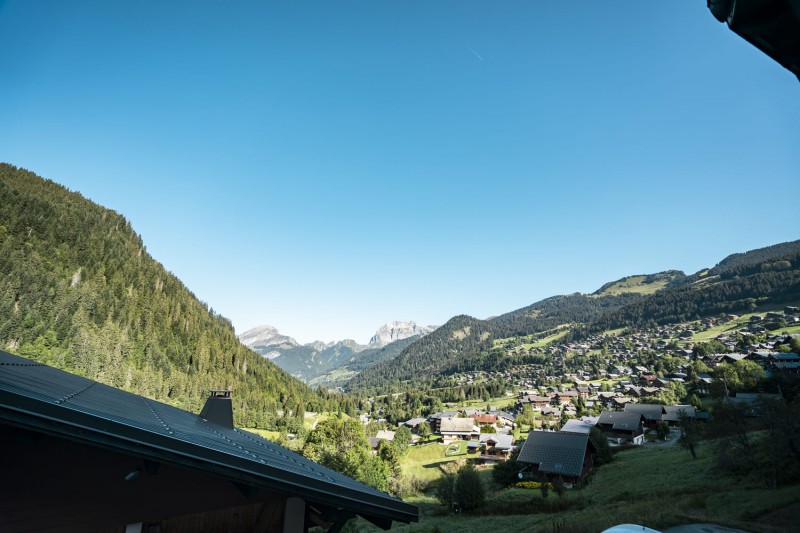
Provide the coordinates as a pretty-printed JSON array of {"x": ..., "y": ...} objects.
[{"x": 79, "y": 291}]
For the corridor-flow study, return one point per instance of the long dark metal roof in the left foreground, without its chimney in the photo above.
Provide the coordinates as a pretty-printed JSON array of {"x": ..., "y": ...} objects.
[{"x": 44, "y": 399}]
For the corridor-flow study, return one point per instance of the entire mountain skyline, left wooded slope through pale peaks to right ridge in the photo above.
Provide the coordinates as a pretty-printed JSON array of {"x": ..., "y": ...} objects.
[{"x": 79, "y": 291}]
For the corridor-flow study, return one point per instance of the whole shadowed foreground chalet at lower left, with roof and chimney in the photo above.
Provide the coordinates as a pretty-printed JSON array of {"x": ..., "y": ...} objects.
[{"x": 89, "y": 457}]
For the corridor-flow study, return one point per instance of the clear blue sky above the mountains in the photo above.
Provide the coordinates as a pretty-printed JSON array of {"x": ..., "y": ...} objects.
[{"x": 325, "y": 167}]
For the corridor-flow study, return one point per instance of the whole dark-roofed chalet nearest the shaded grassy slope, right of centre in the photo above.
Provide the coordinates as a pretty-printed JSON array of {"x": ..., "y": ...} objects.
[{"x": 555, "y": 454}]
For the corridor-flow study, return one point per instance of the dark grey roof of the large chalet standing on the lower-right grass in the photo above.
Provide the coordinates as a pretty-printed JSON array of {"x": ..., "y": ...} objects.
[{"x": 555, "y": 452}]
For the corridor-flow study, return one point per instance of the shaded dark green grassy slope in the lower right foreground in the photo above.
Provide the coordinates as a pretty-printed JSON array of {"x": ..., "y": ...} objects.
[{"x": 655, "y": 486}]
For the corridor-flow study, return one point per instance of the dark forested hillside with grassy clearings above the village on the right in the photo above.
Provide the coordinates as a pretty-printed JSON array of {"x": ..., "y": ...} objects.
[{"x": 740, "y": 283}]
